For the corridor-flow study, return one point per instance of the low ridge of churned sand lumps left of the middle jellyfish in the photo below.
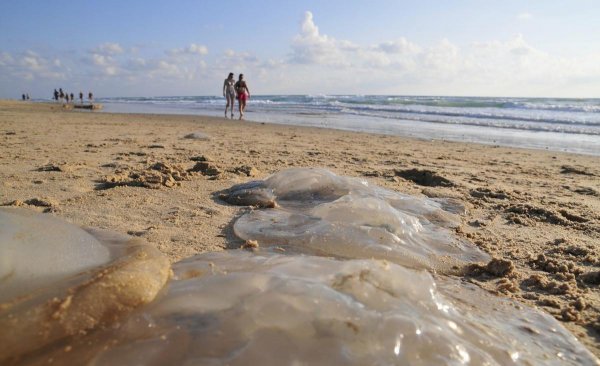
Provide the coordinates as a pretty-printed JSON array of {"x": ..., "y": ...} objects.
[{"x": 154, "y": 176}]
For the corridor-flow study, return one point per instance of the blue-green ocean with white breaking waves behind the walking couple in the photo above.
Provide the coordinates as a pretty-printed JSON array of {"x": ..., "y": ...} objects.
[{"x": 570, "y": 125}]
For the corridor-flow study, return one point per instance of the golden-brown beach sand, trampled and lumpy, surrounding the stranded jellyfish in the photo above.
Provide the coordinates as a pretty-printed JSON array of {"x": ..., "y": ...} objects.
[{"x": 158, "y": 177}]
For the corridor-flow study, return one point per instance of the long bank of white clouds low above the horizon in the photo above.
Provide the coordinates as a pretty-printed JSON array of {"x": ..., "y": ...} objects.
[{"x": 322, "y": 63}]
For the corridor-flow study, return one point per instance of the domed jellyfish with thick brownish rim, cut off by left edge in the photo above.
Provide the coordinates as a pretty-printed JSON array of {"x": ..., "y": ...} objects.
[{"x": 58, "y": 280}]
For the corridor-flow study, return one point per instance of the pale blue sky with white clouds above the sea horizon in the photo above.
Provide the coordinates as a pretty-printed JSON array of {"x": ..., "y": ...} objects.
[{"x": 518, "y": 48}]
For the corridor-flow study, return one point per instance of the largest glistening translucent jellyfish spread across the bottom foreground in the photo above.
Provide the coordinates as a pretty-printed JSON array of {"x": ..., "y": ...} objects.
[{"x": 241, "y": 308}]
